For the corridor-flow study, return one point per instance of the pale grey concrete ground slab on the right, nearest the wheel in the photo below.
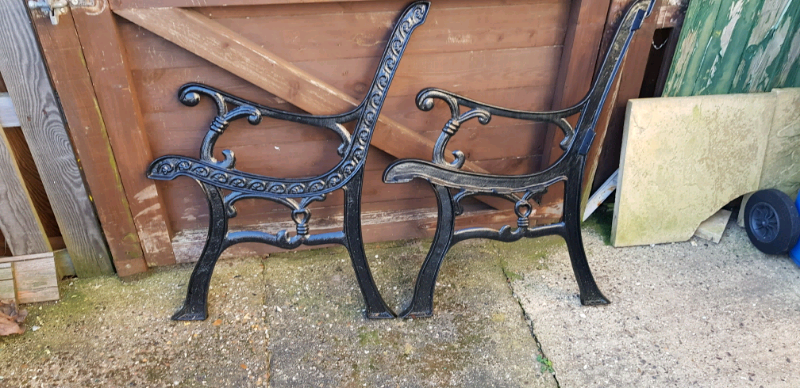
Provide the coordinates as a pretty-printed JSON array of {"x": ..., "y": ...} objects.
[{"x": 683, "y": 314}]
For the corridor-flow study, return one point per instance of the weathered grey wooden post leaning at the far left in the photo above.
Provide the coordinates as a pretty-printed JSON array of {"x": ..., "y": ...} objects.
[{"x": 26, "y": 78}]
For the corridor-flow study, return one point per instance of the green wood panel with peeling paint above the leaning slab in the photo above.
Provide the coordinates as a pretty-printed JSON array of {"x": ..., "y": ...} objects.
[{"x": 745, "y": 47}]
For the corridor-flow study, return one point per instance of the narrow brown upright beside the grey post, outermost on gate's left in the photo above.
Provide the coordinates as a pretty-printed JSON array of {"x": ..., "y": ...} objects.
[{"x": 64, "y": 56}]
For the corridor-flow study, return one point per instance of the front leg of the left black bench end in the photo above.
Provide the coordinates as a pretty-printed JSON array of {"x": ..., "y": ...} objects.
[{"x": 195, "y": 306}]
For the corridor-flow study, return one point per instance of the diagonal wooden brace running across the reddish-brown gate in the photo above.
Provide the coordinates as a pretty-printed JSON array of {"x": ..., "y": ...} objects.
[{"x": 237, "y": 54}]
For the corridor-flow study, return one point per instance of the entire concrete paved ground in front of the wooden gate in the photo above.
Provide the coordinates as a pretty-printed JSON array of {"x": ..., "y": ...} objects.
[{"x": 506, "y": 315}]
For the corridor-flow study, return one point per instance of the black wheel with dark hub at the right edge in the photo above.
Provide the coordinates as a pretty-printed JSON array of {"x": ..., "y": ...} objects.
[{"x": 772, "y": 221}]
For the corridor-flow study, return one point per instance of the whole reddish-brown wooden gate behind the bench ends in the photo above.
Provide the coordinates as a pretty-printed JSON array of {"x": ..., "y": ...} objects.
[{"x": 117, "y": 67}]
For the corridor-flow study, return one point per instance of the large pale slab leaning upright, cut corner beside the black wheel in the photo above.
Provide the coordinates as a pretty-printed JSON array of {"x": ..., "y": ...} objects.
[{"x": 683, "y": 159}]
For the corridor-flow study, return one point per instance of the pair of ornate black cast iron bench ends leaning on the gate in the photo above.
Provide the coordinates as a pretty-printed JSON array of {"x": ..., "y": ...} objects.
[{"x": 214, "y": 176}]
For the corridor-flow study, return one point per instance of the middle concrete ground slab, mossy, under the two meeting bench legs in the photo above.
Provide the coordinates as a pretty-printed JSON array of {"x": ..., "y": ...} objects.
[{"x": 478, "y": 336}]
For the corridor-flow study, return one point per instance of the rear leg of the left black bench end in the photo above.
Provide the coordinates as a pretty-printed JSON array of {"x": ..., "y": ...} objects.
[{"x": 375, "y": 307}]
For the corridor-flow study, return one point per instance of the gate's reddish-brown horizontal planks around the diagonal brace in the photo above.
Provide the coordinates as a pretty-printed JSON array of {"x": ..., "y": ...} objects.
[{"x": 513, "y": 63}]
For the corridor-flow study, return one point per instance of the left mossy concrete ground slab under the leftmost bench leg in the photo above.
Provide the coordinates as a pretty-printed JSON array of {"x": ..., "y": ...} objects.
[{"x": 106, "y": 333}]
